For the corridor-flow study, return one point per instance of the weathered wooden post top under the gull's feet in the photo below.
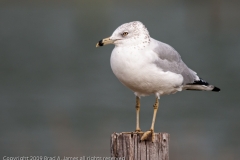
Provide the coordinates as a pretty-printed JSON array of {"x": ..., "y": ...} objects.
[{"x": 127, "y": 146}]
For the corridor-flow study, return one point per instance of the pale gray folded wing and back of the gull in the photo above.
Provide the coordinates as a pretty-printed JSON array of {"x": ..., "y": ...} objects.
[{"x": 170, "y": 60}]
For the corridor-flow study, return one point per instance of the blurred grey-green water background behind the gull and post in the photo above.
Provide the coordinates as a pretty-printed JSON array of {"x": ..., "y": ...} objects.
[{"x": 59, "y": 96}]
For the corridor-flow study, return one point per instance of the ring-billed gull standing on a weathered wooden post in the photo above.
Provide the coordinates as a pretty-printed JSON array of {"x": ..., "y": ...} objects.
[{"x": 148, "y": 66}]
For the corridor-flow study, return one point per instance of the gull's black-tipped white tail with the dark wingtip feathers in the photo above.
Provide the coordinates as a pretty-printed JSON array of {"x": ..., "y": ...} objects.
[{"x": 201, "y": 85}]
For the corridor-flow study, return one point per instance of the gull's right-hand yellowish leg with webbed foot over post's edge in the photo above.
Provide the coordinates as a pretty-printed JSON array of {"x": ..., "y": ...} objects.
[{"x": 151, "y": 131}]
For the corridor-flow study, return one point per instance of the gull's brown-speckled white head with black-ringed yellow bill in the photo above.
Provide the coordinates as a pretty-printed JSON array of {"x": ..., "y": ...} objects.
[{"x": 133, "y": 34}]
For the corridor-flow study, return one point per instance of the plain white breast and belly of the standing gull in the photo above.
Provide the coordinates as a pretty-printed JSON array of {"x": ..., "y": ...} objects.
[{"x": 138, "y": 72}]
